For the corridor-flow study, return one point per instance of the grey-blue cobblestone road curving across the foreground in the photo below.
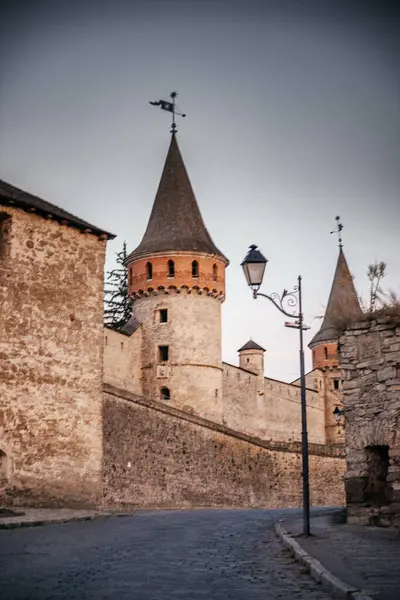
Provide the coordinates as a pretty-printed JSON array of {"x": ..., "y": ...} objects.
[{"x": 167, "y": 555}]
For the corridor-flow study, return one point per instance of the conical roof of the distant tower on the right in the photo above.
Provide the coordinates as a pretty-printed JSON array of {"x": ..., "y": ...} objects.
[{"x": 342, "y": 304}]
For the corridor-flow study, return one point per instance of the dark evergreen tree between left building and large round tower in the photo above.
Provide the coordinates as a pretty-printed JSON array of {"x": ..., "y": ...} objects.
[{"x": 118, "y": 305}]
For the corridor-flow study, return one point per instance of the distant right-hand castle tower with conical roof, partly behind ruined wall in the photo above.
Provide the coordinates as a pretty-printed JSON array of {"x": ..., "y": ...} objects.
[{"x": 342, "y": 303}]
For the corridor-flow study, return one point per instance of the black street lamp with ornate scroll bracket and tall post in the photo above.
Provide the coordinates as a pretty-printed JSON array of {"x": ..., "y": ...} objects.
[{"x": 253, "y": 266}]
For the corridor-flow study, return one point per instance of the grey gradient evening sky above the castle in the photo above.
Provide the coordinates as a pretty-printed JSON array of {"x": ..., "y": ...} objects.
[{"x": 293, "y": 117}]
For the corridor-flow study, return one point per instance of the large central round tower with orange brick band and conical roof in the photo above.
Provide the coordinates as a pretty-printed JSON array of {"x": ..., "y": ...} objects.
[{"x": 177, "y": 282}]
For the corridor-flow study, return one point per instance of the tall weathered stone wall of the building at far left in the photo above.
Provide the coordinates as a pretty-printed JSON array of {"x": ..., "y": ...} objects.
[{"x": 51, "y": 358}]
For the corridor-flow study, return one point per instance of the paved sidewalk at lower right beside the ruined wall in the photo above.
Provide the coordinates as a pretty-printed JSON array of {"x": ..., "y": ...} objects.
[{"x": 365, "y": 558}]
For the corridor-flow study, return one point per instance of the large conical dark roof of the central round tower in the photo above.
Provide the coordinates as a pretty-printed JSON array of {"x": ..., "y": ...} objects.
[{"x": 175, "y": 222}]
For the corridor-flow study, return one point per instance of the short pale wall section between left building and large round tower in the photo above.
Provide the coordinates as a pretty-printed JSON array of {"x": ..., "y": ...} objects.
[{"x": 123, "y": 360}]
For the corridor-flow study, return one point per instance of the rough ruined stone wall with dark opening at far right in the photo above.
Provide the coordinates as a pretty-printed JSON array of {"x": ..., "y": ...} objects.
[{"x": 370, "y": 361}]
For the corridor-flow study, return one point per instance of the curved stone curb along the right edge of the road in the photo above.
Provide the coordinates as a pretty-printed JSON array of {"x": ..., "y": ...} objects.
[{"x": 328, "y": 581}]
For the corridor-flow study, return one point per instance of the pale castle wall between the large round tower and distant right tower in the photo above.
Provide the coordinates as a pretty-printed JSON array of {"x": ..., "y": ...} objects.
[{"x": 269, "y": 409}]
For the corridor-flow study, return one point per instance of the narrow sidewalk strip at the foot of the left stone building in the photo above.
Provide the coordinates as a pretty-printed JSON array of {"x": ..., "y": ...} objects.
[{"x": 30, "y": 517}]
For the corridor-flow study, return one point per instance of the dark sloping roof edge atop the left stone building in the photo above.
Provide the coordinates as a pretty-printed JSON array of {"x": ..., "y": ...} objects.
[{"x": 10, "y": 195}]
